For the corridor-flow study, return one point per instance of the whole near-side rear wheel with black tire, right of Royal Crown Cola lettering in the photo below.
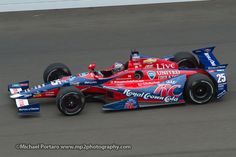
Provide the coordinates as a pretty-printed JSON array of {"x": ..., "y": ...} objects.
[{"x": 199, "y": 89}]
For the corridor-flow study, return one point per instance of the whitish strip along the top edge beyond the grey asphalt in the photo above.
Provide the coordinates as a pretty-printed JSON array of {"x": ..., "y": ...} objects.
[{"x": 27, "y": 5}]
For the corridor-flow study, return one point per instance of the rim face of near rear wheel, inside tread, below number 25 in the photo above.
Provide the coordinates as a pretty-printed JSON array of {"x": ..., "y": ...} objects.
[{"x": 201, "y": 92}]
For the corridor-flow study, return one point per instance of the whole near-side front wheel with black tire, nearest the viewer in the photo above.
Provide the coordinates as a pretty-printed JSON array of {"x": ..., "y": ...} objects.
[{"x": 70, "y": 101}]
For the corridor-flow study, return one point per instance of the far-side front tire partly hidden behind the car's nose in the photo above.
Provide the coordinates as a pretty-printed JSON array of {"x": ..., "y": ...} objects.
[{"x": 55, "y": 71}]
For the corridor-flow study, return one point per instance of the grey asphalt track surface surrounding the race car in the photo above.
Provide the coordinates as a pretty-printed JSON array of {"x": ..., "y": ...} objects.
[{"x": 29, "y": 41}]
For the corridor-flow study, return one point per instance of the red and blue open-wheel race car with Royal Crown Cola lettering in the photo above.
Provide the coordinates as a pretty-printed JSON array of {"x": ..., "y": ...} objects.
[{"x": 142, "y": 81}]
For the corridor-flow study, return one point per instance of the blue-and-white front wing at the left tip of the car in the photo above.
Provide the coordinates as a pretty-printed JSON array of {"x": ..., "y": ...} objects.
[{"x": 23, "y": 105}]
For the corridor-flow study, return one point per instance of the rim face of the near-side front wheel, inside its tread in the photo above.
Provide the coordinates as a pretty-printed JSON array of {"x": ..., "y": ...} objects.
[{"x": 71, "y": 103}]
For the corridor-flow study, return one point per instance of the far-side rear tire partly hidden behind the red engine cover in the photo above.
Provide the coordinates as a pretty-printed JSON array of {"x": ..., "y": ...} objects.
[{"x": 186, "y": 60}]
